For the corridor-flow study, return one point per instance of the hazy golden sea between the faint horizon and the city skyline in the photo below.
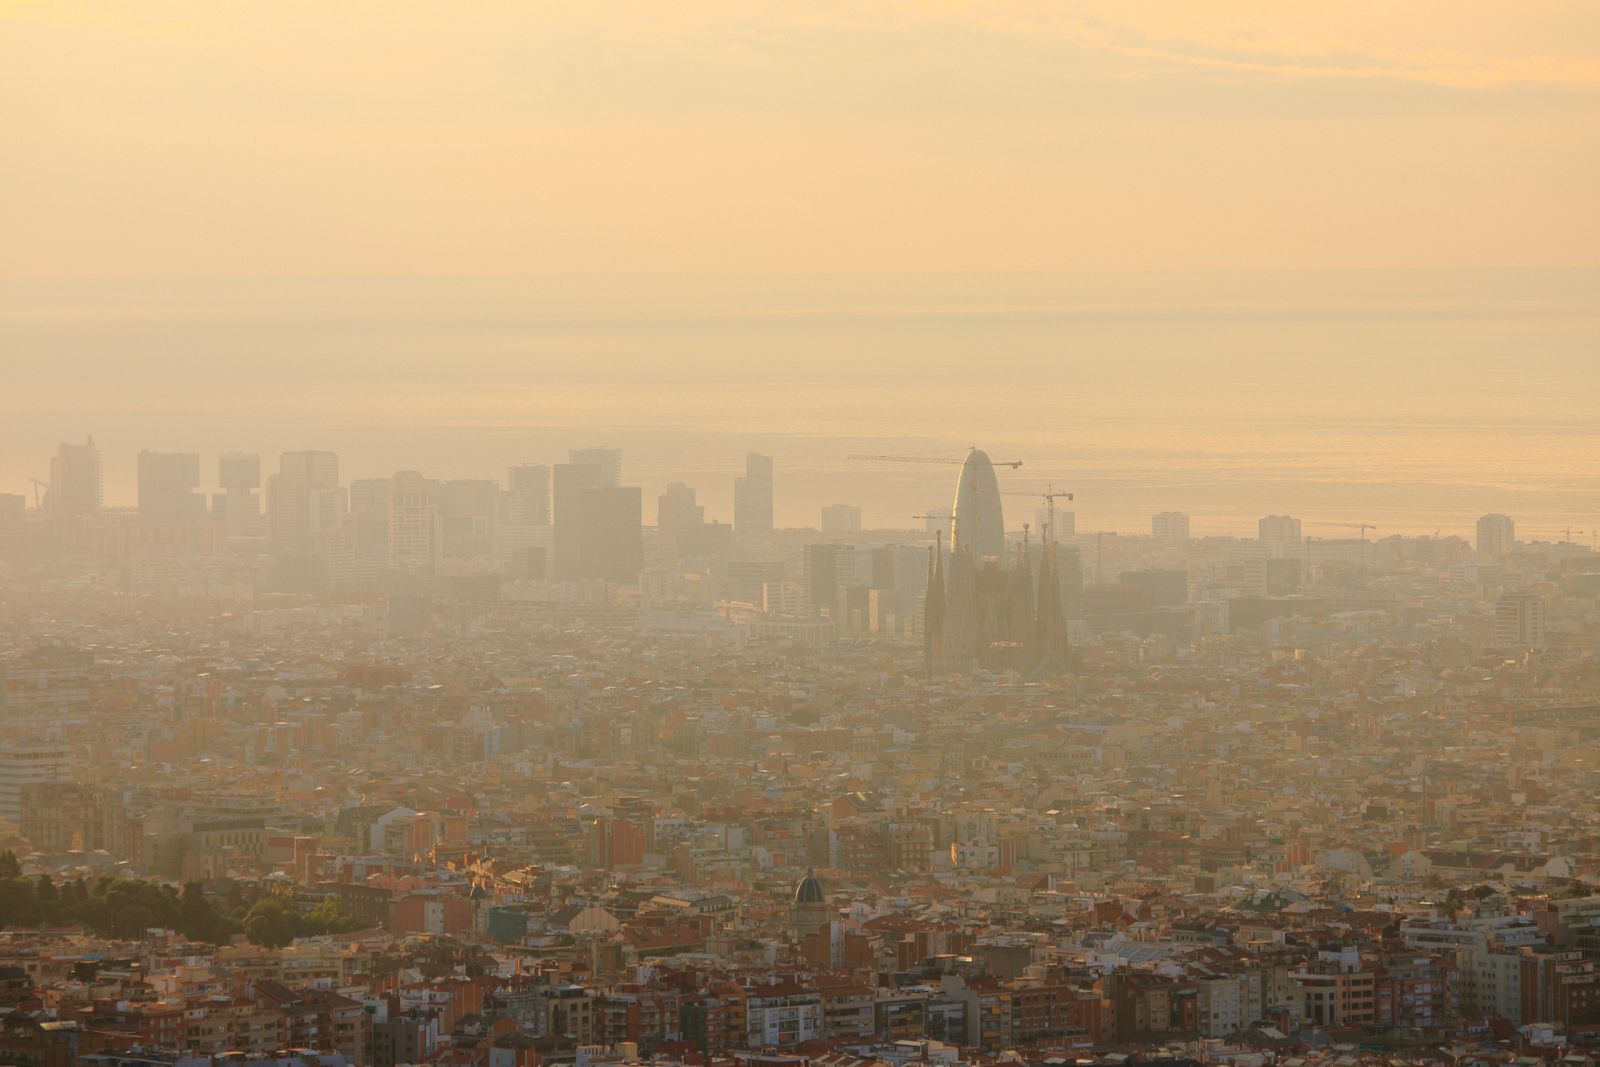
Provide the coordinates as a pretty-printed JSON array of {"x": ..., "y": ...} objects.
[{"x": 1414, "y": 401}]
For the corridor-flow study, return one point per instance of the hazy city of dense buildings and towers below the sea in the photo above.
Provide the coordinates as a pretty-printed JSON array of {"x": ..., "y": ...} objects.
[{"x": 410, "y": 770}]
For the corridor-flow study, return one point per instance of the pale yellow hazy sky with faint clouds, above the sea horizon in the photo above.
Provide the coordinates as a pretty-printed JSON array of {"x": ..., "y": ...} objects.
[{"x": 159, "y": 140}]
